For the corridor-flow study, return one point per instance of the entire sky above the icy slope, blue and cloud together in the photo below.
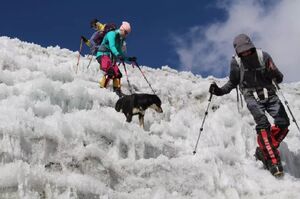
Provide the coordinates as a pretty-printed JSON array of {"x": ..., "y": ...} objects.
[{"x": 193, "y": 35}]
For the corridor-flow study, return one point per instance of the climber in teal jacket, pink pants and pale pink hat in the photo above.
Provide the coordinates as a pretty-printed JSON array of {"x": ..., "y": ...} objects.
[{"x": 111, "y": 50}]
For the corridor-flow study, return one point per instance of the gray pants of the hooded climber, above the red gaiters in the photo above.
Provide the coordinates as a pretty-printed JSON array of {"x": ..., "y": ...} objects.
[{"x": 273, "y": 106}]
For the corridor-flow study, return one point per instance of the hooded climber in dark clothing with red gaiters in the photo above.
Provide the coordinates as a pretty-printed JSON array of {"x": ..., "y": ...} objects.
[{"x": 254, "y": 71}]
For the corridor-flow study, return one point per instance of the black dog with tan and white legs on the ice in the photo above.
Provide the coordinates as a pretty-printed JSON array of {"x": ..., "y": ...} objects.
[{"x": 137, "y": 104}]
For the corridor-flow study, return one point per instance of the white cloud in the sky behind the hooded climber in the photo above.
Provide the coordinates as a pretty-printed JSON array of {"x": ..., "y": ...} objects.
[{"x": 274, "y": 27}]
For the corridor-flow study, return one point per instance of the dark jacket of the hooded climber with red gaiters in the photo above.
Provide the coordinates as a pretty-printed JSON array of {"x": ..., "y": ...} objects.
[{"x": 254, "y": 77}]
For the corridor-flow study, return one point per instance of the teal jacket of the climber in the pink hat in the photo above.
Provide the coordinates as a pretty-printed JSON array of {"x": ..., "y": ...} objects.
[{"x": 112, "y": 44}]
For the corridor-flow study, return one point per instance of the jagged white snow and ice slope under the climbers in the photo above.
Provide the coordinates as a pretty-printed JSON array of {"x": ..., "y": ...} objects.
[{"x": 60, "y": 136}]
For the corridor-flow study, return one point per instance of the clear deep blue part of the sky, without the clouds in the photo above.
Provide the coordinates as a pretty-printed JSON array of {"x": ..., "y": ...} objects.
[{"x": 153, "y": 23}]
